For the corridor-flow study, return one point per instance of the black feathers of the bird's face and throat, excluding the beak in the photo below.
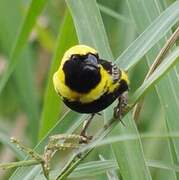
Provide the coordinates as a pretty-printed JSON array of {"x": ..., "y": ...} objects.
[{"x": 80, "y": 79}]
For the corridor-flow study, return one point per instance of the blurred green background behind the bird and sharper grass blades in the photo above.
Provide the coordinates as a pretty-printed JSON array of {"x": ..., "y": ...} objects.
[{"x": 29, "y": 106}]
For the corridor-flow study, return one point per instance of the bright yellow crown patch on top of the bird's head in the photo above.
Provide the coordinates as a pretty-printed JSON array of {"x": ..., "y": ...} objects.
[{"x": 77, "y": 49}]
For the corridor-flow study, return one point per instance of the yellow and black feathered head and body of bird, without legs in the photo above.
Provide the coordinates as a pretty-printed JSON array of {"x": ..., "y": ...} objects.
[{"x": 86, "y": 83}]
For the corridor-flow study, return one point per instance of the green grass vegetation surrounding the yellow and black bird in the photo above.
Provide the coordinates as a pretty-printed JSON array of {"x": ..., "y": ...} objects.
[{"x": 33, "y": 37}]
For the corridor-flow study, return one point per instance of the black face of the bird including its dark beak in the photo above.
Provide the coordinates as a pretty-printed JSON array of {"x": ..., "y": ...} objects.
[{"x": 82, "y": 73}]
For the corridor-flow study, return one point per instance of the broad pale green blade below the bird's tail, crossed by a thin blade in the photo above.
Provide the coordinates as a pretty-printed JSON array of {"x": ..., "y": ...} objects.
[{"x": 129, "y": 154}]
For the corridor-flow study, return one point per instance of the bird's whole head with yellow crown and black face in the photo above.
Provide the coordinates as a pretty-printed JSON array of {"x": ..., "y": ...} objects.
[{"x": 81, "y": 68}]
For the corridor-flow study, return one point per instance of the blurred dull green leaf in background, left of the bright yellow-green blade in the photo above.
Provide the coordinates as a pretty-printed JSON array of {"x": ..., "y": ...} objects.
[{"x": 26, "y": 91}]
